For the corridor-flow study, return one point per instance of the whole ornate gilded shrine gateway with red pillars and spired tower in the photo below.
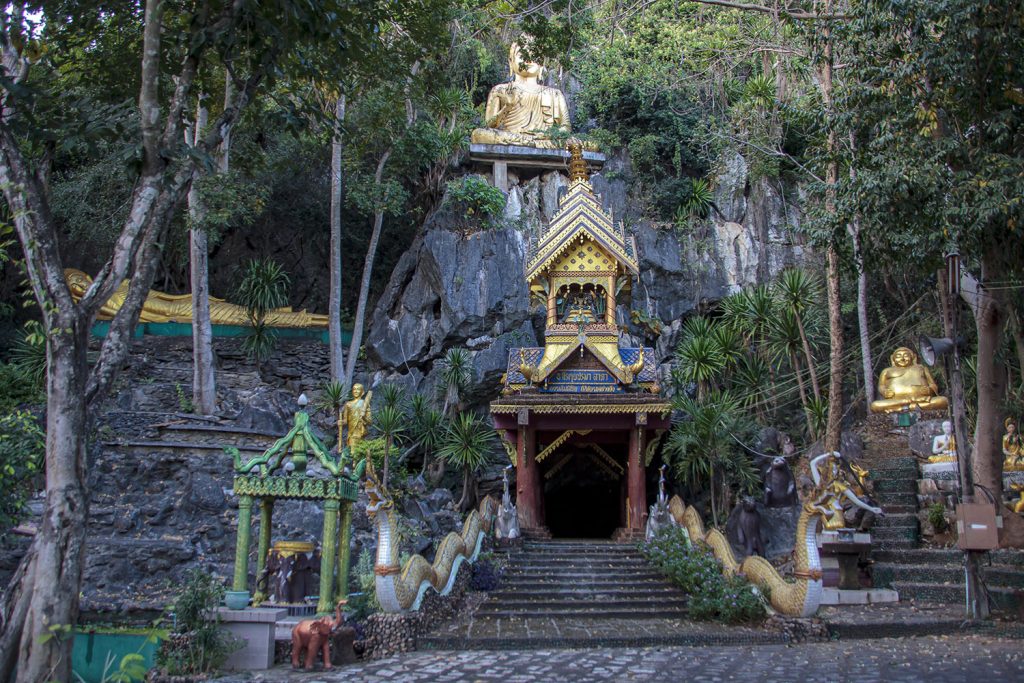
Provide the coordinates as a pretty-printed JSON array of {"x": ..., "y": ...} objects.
[{"x": 581, "y": 411}]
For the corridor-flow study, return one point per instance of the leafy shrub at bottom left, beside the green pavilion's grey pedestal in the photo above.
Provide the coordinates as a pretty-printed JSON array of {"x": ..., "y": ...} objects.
[{"x": 199, "y": 645}]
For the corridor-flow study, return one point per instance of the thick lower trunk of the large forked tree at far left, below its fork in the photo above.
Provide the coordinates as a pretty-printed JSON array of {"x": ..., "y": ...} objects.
[{"x": 56, "y": 568}]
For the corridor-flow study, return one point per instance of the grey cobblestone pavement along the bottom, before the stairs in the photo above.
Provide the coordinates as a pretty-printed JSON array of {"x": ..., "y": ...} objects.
[{"x": 935, "y": 660}]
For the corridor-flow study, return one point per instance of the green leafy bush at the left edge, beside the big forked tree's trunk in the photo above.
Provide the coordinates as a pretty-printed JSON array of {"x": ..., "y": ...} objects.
[{"x": 23, "y": 447}]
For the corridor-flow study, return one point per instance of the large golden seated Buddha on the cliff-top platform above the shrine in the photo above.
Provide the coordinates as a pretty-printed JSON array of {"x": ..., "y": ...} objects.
[{"x": 522, "y": 111}]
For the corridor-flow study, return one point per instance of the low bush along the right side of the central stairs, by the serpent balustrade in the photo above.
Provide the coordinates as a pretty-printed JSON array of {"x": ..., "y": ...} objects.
[{"x": 695, "y": 570}]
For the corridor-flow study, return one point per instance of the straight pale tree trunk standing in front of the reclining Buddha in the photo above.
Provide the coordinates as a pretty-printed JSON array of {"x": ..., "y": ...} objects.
[{"x": 204, "y": 380}]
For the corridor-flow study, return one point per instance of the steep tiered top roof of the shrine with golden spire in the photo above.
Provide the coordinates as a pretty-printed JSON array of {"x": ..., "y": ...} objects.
[{"x": 580, "y": 217}]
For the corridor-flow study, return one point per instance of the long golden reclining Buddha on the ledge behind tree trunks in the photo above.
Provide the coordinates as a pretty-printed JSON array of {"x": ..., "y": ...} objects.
[{"x": 162, "y": 308}]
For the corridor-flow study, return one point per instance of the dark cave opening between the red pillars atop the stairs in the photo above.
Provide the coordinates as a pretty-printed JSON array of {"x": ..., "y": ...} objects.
[{"x": 583, "y": 495}]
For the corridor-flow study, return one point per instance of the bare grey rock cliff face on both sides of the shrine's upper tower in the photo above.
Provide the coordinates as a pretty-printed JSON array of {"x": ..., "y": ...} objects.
[{"x": 456, "y": 290}]
